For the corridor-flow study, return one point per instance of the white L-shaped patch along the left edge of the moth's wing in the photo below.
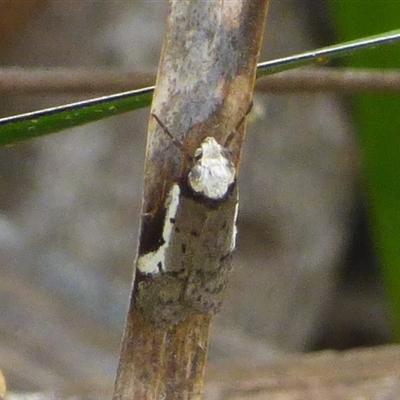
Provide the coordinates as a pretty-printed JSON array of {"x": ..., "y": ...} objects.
[{"x": 154, "y": 262}]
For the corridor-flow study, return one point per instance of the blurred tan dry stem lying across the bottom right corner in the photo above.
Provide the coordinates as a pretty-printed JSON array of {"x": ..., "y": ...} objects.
[{"x": 369, "y": 373}]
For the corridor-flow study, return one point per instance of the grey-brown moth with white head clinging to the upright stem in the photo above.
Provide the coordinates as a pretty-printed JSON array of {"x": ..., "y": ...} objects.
[{"x": 187, "y": 273}]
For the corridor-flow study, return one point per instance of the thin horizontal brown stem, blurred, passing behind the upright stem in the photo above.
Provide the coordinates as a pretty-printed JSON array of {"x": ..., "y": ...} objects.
[{"x": 71, "y": 81}]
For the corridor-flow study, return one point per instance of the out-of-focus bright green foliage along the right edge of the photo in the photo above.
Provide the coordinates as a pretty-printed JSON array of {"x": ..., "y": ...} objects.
[{"x": 377, "y": 117}]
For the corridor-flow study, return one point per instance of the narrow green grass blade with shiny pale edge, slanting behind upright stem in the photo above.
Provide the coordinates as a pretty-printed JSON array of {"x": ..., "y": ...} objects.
[{"x": 27, "y": 126}]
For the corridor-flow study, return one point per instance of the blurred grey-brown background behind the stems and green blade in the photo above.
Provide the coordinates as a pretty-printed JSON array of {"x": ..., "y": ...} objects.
[{"x": 305, "y": 273}]
